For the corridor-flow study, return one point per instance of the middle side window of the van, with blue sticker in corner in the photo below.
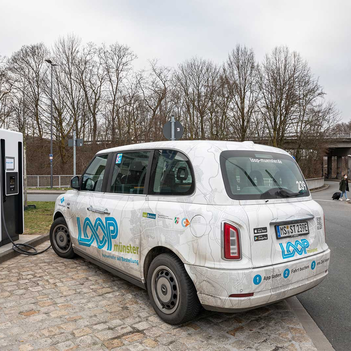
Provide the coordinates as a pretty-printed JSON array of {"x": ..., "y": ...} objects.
[{"x": 129, "y": 172}]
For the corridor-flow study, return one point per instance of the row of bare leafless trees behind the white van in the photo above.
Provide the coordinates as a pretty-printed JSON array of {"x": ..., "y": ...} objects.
[{"x": 98, "y": 92}]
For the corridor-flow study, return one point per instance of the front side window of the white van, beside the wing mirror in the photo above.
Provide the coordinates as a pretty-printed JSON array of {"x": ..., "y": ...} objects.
[{"x": 94, "y": 175}]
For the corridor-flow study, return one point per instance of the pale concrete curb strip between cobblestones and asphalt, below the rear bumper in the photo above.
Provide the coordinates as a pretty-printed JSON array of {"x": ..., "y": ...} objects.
[{"x": 318, "y": 338}]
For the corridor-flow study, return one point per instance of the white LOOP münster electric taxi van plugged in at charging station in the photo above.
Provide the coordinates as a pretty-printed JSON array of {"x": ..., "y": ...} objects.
[{"x": 226, "y": 225}]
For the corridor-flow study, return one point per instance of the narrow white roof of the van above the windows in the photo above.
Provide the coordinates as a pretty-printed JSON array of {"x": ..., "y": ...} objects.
[{"x": 187, "y": 145}]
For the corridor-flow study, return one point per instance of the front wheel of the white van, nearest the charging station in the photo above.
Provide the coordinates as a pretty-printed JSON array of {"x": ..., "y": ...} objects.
[{"x": 60, "y": 238}]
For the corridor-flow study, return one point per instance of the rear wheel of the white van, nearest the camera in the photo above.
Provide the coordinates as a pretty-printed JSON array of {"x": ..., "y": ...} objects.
[{"x": 171, "y": 291}]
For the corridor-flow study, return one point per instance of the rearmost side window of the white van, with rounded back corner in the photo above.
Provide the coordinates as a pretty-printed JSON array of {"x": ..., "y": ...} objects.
[{"x": 172, "y": 175}]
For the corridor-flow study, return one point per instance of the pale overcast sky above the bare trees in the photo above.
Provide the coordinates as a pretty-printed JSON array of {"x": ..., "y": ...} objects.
[{"x": 173, "y": 31}]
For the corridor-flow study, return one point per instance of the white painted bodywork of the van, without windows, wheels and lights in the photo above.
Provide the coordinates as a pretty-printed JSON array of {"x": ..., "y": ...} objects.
[{"x": 191, "y": 227}]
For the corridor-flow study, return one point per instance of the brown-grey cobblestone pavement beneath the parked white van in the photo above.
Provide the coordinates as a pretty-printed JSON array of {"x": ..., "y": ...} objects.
[{"x": 49, "y": 303}]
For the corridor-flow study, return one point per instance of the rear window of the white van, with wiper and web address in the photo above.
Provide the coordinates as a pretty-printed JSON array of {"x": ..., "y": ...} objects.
[{"x": 261, "y": 175}]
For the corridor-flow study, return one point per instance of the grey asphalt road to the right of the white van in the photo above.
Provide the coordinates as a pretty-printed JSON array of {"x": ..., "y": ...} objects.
[{"x": 329, "y": 304}]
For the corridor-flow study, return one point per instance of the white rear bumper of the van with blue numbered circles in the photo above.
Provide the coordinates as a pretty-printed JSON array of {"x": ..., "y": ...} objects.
[{"x": 268, "y": 284}]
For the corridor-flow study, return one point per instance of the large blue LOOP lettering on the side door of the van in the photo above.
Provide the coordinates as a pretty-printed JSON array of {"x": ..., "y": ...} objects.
[{"x": 90, "y": 232}]
